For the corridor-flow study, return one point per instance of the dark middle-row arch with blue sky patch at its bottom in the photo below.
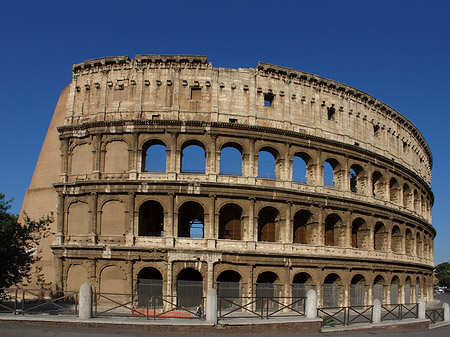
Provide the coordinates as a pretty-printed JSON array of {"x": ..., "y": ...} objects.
[{"x": 191, "y": 220}]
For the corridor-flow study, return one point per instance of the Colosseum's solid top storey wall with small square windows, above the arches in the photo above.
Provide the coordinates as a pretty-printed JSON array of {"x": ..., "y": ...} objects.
[{"x": 189, "y": 88}]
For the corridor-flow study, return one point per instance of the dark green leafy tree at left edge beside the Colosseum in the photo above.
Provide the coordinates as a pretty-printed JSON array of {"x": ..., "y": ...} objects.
[{"x": 18, "y": 244}]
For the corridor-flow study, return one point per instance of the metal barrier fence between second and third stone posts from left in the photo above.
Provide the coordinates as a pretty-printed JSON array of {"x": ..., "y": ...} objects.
[{"x": 260, "y": 307}]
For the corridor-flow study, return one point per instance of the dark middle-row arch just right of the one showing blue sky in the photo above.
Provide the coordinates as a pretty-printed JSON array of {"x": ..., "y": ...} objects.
[{"x": 230, "y": 222}]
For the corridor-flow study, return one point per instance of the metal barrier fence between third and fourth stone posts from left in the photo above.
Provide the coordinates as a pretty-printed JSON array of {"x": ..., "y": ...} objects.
[{"x": 346, "y": 315}]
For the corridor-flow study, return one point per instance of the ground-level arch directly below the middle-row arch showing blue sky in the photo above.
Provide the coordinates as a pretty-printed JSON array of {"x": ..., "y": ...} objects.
[{"x": 189, "y": 288}]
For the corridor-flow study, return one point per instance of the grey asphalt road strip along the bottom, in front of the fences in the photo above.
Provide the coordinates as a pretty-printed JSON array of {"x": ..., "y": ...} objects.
[{"x": 22, "y": 330}]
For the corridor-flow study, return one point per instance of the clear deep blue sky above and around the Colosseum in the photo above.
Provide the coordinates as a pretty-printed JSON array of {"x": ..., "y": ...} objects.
[{"x": 397, "y": 51}]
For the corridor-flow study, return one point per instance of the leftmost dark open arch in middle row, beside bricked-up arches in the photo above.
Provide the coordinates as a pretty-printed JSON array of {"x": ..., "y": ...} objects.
[{"x": 151, "y": 219}]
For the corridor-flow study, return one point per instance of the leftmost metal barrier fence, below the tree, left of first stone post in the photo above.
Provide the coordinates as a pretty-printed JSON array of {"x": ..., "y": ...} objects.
[{"x": 38, "y": 301}]
